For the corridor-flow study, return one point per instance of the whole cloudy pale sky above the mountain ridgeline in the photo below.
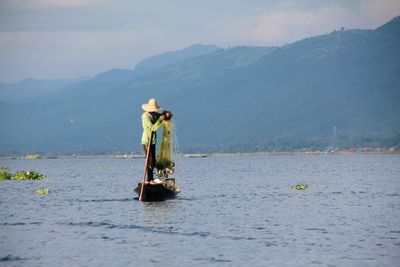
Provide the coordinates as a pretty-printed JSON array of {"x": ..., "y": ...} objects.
[{"x": 62, "y": 39}]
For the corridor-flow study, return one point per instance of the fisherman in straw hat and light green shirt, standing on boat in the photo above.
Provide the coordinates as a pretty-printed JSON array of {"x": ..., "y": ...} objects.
[{"x": 151, "y": 122}]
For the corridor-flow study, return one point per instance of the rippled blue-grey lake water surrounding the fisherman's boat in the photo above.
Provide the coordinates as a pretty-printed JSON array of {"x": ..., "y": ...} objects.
[{"x": 232, "y": 211}]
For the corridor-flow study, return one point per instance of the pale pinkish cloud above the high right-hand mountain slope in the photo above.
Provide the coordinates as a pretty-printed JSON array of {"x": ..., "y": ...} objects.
[{"x": 284, "y": 26}]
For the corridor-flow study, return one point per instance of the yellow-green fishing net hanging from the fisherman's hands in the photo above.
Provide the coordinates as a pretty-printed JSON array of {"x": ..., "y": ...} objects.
[{"x": 164, "y": 163}]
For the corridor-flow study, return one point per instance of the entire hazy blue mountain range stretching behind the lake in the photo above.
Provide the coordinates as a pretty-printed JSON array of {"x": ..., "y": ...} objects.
[{"x": 337, "y": 89}]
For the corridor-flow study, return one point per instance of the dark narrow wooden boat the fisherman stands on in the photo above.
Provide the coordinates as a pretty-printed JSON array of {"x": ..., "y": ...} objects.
[{"x": 159, "y": 192}]
